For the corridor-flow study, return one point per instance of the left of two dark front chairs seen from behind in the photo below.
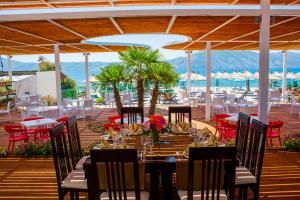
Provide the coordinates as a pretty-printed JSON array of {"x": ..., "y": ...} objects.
[{"x": 115, "y": 163}]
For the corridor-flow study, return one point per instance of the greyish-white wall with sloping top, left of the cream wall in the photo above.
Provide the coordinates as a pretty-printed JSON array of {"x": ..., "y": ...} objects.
[{"x": 26, "y": 85}]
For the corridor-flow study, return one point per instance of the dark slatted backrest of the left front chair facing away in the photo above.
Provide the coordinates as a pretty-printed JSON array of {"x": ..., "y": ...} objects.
[{"x": 115, "y": 160}]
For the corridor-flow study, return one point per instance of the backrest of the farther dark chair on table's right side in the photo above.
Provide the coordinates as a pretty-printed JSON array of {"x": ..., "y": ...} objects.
[{"x": 241, "y": 138}]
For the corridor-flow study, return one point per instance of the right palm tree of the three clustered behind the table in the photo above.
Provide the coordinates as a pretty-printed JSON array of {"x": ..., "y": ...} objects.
[{"x": 162, "y": 73}]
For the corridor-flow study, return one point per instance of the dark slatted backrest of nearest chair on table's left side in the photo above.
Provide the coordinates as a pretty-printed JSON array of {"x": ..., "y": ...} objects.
[{"x": 60, "y": 153}]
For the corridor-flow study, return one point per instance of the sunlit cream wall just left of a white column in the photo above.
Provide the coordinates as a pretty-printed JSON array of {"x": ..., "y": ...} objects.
[{"x": 46, "y": 83}]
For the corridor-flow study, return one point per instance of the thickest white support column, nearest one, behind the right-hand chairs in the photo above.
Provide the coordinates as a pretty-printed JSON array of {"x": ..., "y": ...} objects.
[{"x": 264, "y": 47}]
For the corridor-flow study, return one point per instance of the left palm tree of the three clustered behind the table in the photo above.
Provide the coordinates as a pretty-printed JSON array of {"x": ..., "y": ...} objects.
[{"x": 112, "y": 75}]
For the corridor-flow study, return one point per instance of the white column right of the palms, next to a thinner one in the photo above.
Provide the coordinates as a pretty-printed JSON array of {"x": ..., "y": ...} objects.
[{"x": 208, "y": 77}]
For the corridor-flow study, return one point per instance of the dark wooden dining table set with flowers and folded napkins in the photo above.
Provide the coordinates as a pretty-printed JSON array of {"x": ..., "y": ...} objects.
[{"x": 160, "y": 160}]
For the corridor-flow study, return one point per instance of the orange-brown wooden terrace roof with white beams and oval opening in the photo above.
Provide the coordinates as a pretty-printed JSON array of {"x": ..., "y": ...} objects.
[{"x": 29, "y": 33}]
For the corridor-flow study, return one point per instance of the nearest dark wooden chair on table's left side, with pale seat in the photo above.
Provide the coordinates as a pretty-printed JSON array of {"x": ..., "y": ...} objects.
[{"x": 68, "y": 180}]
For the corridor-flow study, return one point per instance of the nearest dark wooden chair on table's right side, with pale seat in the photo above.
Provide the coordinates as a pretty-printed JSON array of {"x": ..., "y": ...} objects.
[{"x": 249, "y": 174}]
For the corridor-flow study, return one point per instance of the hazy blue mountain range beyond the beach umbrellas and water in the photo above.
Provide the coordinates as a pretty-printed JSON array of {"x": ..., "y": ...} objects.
[{"x": 221, "y": 61}]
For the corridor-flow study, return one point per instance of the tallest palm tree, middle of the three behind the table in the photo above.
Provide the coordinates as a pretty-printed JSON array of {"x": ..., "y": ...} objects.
[{"x": 138, "y": 60}]
